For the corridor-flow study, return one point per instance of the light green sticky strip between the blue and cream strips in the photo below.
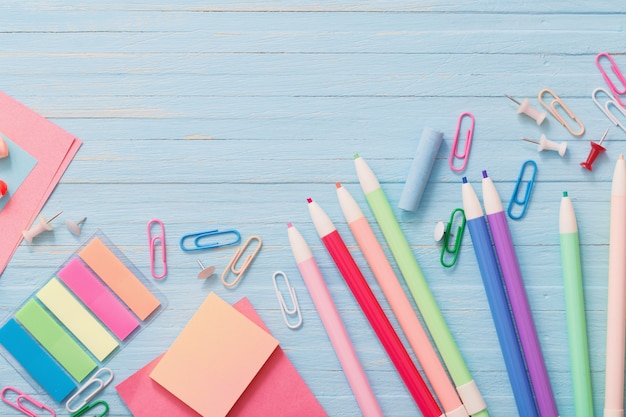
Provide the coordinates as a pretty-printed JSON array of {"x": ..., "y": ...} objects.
[{"x": 55, "y": 340}]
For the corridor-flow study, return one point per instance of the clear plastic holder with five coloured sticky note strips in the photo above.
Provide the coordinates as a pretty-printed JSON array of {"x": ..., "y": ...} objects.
[{"x": 87, "y": 310}]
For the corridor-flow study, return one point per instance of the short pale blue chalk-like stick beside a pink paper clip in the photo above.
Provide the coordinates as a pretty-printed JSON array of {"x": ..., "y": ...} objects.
[{"x": 421, "y": 166}]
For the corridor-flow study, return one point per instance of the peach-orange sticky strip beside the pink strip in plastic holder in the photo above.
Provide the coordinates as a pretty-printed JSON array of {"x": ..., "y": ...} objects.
[{"x": 119, "y": 278}]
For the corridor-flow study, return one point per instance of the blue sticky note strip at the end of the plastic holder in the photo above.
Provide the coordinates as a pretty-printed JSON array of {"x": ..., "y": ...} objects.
[{"x": 36, "y": 361}]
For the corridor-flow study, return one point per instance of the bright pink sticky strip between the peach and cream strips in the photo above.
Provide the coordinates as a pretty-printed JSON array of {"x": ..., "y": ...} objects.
[{"x": 96, "y": 296}]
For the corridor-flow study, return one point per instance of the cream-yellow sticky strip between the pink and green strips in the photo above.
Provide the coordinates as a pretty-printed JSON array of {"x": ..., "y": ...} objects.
[{"x": 77, "y": 319}]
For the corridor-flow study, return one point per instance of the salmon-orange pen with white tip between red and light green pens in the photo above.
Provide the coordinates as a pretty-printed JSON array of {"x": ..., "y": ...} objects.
[{"x": 400, "y": 304}]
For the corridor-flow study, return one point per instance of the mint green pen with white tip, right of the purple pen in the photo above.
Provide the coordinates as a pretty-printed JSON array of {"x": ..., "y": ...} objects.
[{"x": 575, "y": 308}]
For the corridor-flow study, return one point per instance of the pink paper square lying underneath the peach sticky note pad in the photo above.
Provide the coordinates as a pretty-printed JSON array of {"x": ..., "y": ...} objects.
[{"x": 277, "y": 390}]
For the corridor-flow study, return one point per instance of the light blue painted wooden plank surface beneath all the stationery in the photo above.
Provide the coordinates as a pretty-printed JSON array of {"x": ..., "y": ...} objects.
[{"x": 229, "y": 114}]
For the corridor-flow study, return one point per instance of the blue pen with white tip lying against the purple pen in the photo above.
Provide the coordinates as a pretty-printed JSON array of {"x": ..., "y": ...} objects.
[{"x": 494, "y": 287}]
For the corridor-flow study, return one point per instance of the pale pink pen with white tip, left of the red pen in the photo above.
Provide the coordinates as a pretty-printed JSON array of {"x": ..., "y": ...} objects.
[{"x": 333, "y": 324}]
